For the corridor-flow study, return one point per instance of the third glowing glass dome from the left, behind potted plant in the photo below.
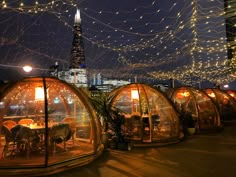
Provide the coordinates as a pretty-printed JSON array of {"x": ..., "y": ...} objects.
[{"x": 196, "y": 102}]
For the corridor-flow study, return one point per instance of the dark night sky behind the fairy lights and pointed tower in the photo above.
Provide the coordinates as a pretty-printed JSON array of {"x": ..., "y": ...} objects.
[{"x": 153, "y": 40}]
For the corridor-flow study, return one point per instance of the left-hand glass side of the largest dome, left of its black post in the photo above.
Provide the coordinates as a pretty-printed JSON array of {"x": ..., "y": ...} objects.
[{"x": 21, "y": 138}]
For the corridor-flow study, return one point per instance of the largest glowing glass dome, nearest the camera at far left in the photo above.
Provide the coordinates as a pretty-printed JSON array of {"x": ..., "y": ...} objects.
[{"x": 46, "y": 122}]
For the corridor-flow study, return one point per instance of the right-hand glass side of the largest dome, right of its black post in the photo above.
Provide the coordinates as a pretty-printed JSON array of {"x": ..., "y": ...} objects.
[{"x": 67, "y": 112}]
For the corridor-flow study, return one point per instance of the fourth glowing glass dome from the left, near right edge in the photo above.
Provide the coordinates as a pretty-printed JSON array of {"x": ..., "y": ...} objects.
[{"x": 225, "y": 103}]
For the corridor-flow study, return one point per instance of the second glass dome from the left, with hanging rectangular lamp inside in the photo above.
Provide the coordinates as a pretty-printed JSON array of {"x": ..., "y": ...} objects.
[{"x": 149, "y": 115}]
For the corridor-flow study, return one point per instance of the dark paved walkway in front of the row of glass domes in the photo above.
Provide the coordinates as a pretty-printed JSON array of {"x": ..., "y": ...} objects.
[{"x": 209, "y": 155}]
